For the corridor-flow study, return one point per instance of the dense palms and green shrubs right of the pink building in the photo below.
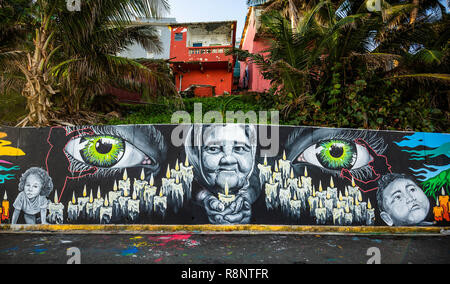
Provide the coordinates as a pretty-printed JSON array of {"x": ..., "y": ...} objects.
[{"x": 340, "y": 65}]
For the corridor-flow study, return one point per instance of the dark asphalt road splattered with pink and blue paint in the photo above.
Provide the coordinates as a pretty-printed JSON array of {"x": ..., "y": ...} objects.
[{"x": 221, "y": 249}]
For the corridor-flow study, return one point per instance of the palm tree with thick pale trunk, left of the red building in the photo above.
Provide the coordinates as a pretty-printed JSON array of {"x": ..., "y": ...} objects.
[{"x": 72, "y": 54}]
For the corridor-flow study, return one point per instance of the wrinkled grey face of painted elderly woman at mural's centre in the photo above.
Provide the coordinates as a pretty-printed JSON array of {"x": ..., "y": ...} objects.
[{"x": 227, "y": 156}]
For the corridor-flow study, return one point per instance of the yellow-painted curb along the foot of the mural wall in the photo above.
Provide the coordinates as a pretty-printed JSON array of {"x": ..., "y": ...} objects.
[{"x": 223, "y": 229}]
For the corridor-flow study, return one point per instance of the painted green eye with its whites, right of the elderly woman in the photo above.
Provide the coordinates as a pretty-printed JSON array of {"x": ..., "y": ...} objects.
[{"x": 335, "y": 155}]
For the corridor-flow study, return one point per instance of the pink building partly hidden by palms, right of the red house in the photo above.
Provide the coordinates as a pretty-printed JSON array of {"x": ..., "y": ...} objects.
[{"x": 251, "y": 77}]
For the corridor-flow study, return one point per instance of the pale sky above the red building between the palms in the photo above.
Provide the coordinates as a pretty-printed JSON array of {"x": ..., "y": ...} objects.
[{"x": 209, "y": 11}]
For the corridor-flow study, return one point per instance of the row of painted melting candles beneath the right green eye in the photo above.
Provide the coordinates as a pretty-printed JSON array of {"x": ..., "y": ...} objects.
[{"x": 295, "y": 195}]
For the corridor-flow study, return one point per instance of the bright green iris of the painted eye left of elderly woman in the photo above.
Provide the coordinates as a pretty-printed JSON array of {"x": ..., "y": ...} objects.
[{"x": 102, "y": 151}]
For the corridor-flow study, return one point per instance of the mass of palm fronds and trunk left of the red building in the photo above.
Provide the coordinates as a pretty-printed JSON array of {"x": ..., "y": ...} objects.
[{"x": 60, "y": 60}]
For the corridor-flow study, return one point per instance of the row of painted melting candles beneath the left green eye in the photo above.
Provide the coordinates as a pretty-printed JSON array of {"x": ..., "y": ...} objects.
[{"x": 118, "y": 204}]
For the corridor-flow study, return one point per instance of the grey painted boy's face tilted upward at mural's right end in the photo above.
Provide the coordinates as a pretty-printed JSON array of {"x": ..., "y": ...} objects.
[{"x": 405, "y": 203}]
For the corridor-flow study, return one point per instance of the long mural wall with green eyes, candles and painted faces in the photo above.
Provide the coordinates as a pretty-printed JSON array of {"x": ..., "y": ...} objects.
[{"x": 219, "y": 175}]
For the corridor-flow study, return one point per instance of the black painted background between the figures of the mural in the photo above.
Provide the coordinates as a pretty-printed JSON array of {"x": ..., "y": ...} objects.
[{"x": 34, "y": 143}]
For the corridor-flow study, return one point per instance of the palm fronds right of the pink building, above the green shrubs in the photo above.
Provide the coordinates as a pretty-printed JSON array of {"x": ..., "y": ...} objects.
[{"x": 350, "y": 42}]
